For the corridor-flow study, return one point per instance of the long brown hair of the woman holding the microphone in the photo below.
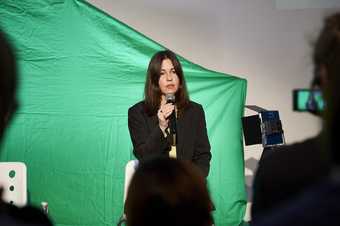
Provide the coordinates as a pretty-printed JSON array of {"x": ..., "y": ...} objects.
[{"x": 152, "y": 92}]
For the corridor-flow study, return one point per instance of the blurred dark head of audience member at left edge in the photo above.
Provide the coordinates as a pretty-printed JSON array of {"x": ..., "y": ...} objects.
[{"x": 8, "y": 82}]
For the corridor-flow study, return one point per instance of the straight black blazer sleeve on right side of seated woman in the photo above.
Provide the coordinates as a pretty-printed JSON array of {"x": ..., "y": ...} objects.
[{"x": 202, "y": 154}]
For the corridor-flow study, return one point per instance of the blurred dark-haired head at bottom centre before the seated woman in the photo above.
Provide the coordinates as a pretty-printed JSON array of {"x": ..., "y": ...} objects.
[{"x": 168, "y": 192}]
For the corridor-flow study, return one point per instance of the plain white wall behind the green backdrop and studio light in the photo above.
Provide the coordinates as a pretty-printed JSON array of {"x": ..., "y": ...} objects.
[{"x": 265, "y": 41}]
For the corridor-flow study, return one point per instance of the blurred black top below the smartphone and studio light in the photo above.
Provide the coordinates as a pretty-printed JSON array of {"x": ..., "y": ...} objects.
[{"x": 285, "y": 172}]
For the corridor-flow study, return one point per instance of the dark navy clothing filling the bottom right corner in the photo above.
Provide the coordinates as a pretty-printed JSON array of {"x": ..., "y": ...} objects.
[{"x": 317, "y": 206}]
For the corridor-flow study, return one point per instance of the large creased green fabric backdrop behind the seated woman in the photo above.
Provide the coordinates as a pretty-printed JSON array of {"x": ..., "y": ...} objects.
[{"x": 80, "y": 71}]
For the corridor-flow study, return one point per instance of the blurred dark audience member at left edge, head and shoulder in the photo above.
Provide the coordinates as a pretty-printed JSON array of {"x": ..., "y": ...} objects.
[{"x": 10, "y": 214}]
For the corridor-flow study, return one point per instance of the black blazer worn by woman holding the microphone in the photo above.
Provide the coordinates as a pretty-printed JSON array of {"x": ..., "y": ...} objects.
[{"x": 192, "y": 139}]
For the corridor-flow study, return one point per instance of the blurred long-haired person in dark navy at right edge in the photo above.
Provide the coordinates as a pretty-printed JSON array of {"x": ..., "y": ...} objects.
[{"x": 319, "y": 204}]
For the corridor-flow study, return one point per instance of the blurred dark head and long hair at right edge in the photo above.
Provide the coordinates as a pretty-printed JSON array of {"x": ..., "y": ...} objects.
[{"x": 326, "y": 59}]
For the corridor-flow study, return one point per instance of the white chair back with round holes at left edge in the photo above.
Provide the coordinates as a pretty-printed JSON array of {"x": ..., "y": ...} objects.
[{"x": 13, "y": 181}]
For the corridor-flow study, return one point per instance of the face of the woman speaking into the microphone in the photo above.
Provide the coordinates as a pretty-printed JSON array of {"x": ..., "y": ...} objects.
[{"x": 168, "y": 81}]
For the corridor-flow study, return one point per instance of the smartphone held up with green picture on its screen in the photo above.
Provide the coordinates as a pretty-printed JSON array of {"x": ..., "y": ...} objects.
[{"x": 308, "y": 100}]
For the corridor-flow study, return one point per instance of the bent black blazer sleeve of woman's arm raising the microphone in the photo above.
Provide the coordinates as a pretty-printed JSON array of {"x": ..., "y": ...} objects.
[{"x": 147, "y": 142}]
